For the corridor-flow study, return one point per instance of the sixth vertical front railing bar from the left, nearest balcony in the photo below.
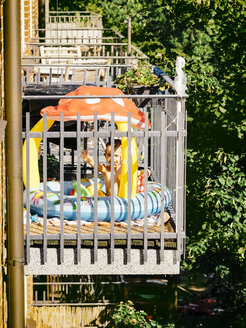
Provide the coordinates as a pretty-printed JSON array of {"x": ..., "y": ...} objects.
[{"x": 112, "y": 188}]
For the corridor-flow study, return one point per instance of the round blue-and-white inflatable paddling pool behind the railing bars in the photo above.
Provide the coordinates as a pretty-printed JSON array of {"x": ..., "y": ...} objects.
[{"x": 103, "y": 205}]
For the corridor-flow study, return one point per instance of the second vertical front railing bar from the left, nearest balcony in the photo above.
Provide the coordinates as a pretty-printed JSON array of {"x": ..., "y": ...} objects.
[{"x": 45, "y": 190}]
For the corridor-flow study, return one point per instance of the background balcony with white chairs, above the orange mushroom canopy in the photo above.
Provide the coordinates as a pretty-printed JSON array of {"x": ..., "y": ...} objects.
[{"x": 74, "y": 47}]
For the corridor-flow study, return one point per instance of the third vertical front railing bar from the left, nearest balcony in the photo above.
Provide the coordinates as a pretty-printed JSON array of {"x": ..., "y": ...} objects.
[{"x": 62, "y": 188}]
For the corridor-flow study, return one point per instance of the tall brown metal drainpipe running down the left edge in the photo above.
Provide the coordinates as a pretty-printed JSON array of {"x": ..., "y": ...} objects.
[{"x": 15, "y": 234}]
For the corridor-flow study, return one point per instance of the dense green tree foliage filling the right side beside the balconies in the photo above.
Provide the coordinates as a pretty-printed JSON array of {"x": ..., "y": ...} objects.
[{"x": 210, "y": 35}]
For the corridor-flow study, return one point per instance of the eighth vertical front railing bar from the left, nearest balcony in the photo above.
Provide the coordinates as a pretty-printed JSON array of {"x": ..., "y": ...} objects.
[{"x": 146, "y": 184}]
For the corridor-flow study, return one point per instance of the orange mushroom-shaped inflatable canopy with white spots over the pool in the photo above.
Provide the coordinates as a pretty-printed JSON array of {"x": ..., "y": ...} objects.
[{"x": 103, "y": 106}]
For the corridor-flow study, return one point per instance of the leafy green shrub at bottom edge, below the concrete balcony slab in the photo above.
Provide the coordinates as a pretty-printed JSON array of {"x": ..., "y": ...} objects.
[{"x": 127, "y": 316}]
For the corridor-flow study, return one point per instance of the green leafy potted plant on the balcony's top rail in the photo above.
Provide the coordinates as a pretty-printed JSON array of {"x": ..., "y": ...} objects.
[{"x": 138, "y": 75}]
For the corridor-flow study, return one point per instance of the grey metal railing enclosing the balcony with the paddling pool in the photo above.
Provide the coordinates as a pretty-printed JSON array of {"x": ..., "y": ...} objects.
[{"x": 163, "y": 146}]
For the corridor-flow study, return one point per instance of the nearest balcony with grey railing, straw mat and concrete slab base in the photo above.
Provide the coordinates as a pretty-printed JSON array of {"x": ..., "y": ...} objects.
[{"x": 147, "y": 245}]
